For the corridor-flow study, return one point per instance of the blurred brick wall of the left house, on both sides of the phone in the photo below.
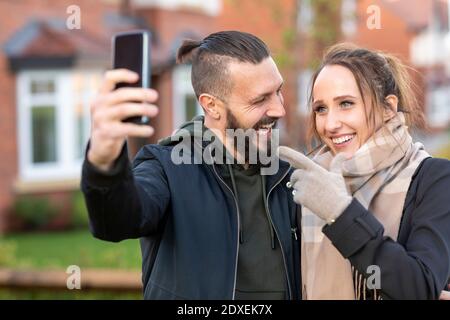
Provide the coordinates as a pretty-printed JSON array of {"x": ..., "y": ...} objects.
[{"x": 15, "y": 14}]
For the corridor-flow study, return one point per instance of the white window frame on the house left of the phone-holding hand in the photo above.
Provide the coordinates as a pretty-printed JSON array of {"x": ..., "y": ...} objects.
[{"x": 63, "y": 99}]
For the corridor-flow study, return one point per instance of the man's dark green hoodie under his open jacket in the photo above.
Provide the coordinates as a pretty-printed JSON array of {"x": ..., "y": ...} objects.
[{"x": 260, "y": 271}]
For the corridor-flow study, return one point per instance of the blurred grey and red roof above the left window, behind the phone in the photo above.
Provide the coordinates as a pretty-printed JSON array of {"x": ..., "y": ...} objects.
[{"x": 49, "y": 43}]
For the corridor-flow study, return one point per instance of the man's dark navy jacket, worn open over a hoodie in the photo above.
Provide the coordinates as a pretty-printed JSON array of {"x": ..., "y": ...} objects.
[{"x": 186, "y": 217}]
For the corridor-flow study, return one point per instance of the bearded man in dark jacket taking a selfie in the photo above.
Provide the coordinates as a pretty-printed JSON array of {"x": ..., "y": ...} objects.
[{"x": 209, "y": 230}]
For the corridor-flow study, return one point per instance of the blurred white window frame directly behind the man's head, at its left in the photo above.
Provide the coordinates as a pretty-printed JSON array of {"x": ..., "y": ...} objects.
[{"x": 181, "y": 84}]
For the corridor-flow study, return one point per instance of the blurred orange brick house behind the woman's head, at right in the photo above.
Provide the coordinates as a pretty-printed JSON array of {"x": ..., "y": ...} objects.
[{"x": 418, "y": 32}]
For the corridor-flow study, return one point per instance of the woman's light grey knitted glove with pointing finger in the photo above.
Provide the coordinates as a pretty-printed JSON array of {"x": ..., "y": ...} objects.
[{"x": 321, "y": 191}]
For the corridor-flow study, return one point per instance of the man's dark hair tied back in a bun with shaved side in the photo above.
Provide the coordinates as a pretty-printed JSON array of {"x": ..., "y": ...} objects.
[{"x": 210, "y": 58}]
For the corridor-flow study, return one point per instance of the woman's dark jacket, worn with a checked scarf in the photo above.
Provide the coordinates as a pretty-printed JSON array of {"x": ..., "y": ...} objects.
[{"x": 417, "y": 266}]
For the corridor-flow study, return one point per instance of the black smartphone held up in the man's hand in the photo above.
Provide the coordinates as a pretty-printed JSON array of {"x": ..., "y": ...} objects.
[{"x": 131, "y": 50}]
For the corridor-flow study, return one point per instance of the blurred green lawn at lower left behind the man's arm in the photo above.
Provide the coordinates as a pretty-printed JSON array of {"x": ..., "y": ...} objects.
[{"x": 58, "y": 250}]
